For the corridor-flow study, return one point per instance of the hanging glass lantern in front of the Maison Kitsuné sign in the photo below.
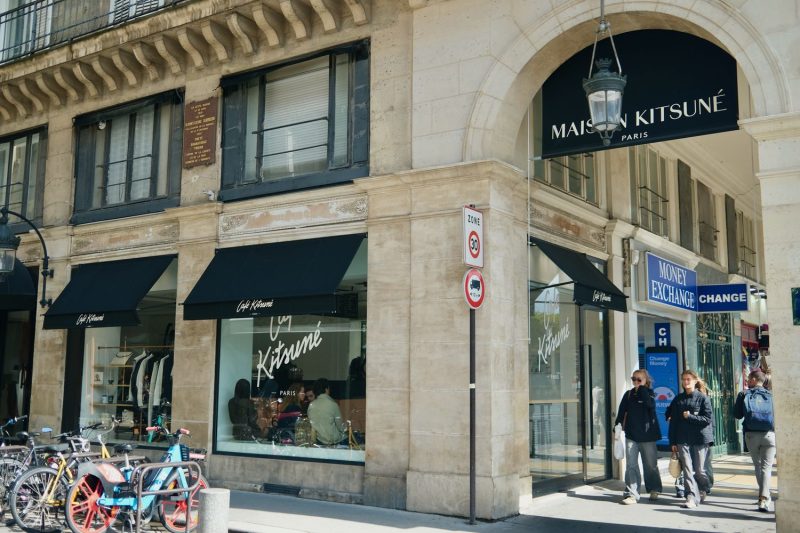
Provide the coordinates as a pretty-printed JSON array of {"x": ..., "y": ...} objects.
[{"x": 604, "y": 89}]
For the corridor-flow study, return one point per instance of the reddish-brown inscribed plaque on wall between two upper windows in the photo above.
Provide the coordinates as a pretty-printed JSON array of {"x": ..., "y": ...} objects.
[{"x": 200, "y": 132}]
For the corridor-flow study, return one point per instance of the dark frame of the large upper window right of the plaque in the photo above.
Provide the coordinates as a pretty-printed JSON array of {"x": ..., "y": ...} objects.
[{"x": 235, "y": 115}]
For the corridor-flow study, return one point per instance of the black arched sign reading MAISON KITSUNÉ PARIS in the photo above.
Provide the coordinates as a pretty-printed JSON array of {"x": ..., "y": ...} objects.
[{"x": 678, "y": 86}]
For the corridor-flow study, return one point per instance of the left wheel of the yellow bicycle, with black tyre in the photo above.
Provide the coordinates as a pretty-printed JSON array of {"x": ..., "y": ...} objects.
[{"x": 35, "y": 503}]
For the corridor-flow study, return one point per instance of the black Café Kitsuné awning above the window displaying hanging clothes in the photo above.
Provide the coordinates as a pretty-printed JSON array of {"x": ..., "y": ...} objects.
[{"x": 105, "y": 294}]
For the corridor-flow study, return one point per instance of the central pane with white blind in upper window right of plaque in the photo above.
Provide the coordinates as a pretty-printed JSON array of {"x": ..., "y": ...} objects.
[{"x": 296, "y": 120}]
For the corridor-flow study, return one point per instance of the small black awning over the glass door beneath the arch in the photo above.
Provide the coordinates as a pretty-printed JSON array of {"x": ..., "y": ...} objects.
[{"x": 592, "y": 287}]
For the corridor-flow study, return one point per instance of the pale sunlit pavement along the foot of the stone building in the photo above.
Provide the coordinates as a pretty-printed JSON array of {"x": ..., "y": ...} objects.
[{"x": 730, "y": 508}]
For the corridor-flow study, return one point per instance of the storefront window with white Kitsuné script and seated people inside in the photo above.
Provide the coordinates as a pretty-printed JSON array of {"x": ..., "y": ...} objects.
[{"x": 295, "y": 385}]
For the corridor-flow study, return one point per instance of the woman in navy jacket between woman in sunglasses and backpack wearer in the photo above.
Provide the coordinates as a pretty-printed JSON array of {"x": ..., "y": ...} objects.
[{"x": 690, "y": 432}]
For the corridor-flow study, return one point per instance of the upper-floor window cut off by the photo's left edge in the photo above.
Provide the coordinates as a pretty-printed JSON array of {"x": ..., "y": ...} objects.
[{"x": 22, "y": 162}]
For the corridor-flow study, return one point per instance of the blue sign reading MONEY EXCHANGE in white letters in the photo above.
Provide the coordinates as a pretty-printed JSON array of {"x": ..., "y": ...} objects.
[{"x": 671, "y": 284}]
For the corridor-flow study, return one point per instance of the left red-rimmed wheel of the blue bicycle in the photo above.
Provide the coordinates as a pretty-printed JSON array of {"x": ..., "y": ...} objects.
[{"x": 83, "y": 513}]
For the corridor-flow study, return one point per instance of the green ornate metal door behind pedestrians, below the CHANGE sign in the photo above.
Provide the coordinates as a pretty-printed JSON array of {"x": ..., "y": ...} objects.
[{"x": 715, "y": 366}]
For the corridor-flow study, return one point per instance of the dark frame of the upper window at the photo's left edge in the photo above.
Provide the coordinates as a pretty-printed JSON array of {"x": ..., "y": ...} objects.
[{"x": 18, "y": 226}]
